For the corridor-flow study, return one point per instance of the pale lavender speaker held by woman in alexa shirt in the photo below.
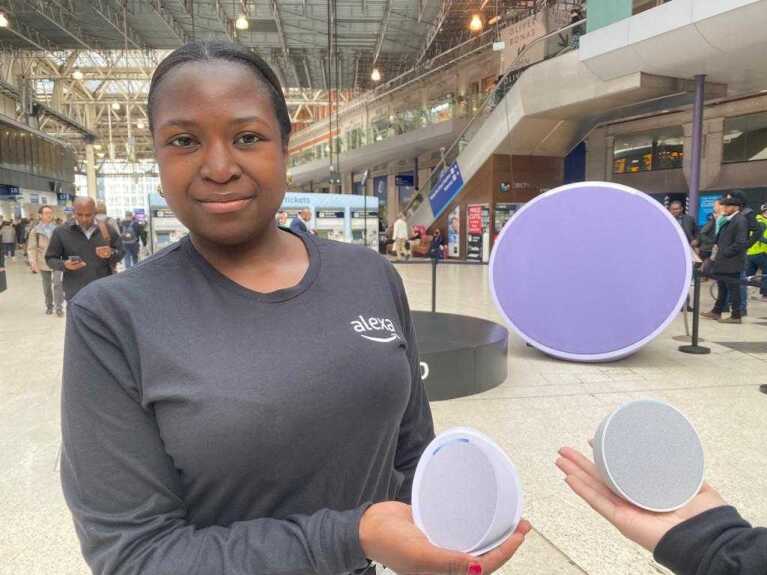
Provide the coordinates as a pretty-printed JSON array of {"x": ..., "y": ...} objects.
[{"x": 466, "y": 492}]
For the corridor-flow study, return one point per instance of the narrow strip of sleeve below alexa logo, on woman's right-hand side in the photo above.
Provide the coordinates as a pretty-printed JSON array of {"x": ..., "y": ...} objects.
[{"x": 417, "y": 428}]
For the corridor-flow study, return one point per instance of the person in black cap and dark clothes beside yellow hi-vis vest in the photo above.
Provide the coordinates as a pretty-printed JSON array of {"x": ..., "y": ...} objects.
[{"x": 729, "y": 260}]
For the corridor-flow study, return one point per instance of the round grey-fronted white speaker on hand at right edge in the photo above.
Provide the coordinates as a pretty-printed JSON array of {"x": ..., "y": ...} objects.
[{"x": 649, "y": 454}]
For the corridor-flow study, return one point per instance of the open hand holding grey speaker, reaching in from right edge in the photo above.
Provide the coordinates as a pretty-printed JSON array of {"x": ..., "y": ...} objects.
[{"x": 643, "y": 527}]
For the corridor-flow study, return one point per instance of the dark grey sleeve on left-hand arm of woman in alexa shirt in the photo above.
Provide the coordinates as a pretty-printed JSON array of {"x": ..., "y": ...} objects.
[{"x": 125, "y": 493}]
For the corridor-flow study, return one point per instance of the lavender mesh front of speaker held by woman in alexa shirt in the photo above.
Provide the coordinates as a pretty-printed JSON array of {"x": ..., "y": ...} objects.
[{"x": 458, "y": 496}]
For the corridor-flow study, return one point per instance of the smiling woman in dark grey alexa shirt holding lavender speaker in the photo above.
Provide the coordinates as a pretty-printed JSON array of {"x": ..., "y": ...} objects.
[{"x": 249, "y": 399}]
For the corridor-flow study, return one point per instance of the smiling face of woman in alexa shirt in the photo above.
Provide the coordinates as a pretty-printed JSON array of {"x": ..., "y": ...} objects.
[{"x": 218, "y": 145}]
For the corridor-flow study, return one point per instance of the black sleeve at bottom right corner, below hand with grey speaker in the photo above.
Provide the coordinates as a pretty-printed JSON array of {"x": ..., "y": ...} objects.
[{"x": 717, "y": 542}]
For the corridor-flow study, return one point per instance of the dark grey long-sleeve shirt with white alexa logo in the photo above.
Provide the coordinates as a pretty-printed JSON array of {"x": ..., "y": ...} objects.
[{"x": 212, "y": 430}]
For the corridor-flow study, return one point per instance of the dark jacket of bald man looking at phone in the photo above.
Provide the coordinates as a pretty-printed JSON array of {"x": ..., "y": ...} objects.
[{"x": 70, "y": 240}]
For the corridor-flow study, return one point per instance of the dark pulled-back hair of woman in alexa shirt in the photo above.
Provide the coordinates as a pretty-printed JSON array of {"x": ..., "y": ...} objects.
[{"x": 199, "y": 51}]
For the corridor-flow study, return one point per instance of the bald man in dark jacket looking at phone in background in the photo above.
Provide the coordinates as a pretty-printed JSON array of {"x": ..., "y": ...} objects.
[{"x": 84, "y": 250}]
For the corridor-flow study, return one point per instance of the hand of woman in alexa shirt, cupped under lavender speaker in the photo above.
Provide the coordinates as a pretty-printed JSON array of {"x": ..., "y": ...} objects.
[{"x": 389, "y": 537}]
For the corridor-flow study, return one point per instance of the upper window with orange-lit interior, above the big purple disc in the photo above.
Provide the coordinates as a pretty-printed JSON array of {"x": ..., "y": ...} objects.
[{"x": 658, "y": 150}]
